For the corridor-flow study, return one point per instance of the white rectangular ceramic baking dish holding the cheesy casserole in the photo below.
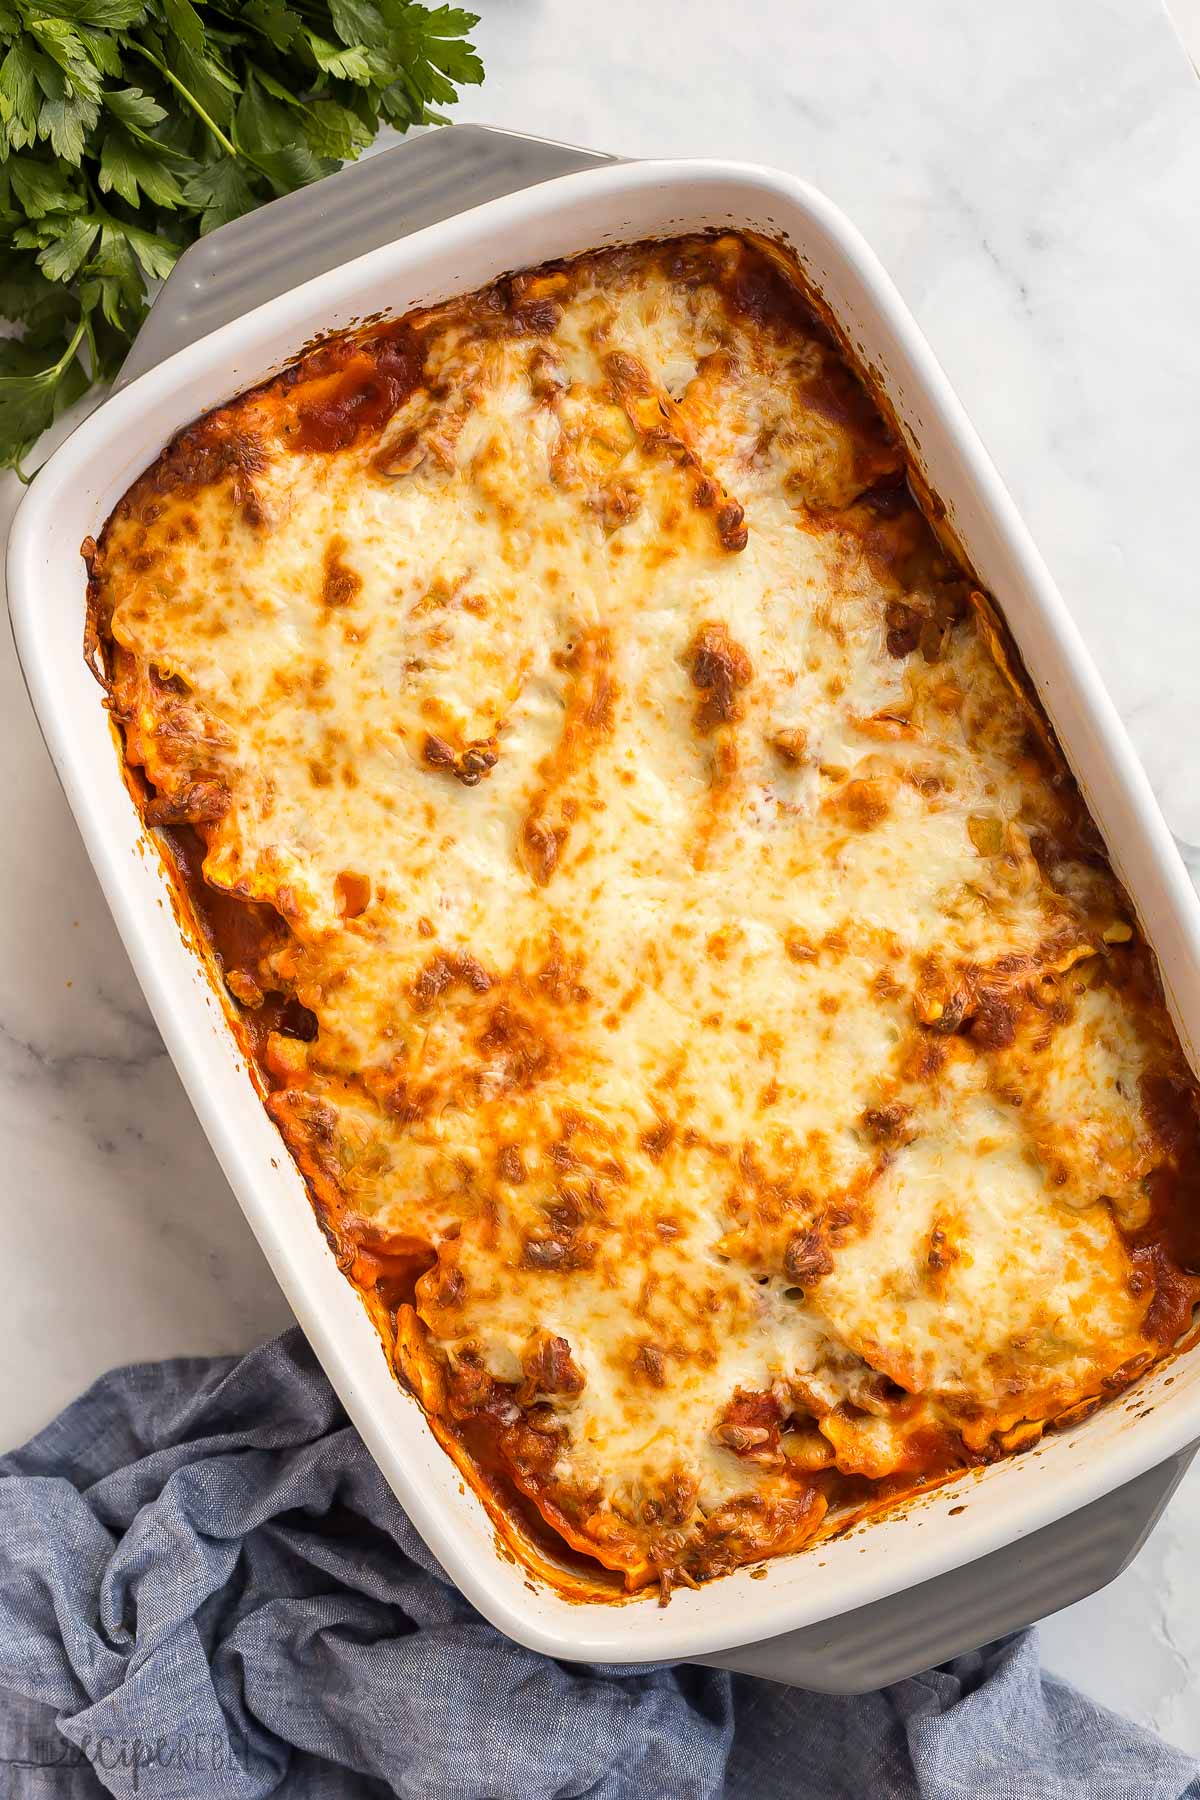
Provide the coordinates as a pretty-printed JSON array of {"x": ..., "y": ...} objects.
[{"x": 969, "y": 1520}]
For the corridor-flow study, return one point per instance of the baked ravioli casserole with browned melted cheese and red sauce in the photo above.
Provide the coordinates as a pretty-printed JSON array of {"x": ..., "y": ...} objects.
[{"x": 654, "y": 908}]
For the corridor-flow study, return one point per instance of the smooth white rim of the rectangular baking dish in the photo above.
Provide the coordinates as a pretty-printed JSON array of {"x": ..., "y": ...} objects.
[{"x": 582, "y": 1630}]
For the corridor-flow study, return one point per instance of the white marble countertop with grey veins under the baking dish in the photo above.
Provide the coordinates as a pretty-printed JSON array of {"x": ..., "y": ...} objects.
[{"x": 1030, "y": 175}]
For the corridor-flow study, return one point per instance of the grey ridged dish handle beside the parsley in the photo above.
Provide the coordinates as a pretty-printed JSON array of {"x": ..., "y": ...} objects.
[{"x": 372, "y": 202}]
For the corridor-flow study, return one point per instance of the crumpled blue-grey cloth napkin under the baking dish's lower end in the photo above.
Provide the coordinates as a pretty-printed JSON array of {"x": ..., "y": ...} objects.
[{"x": 208, "y": 1592}]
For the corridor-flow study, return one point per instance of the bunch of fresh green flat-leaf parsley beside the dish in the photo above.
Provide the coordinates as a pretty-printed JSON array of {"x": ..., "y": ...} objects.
[{"x": 132, "y": 127}]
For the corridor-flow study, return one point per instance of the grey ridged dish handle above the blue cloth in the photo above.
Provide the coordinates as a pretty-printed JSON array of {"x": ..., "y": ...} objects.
[{"x": 971, "y": 1606}]
